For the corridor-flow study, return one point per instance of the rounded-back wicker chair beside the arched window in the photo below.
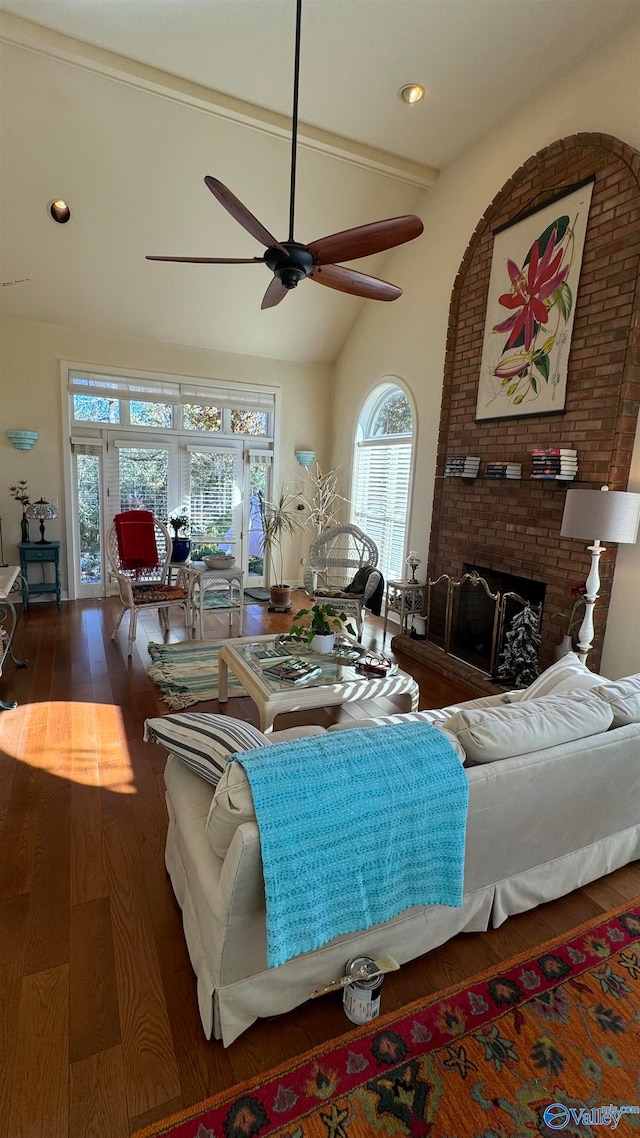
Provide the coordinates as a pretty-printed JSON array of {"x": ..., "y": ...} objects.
[{"x": 334, "y": 559}]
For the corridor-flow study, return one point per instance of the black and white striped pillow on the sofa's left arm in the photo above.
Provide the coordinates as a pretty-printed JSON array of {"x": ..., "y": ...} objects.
[{"x": 204, "y": 741}]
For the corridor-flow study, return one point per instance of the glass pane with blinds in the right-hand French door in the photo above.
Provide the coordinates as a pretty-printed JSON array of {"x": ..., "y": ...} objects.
[{"x": 214, "y": 496}]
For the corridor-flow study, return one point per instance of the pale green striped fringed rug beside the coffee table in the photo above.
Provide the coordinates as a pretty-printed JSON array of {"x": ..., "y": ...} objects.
[{"x": 187, "y": 673}]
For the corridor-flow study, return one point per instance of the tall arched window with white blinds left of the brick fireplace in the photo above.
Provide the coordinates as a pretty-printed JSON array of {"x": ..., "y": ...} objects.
[{"x": 382, "y": 475}]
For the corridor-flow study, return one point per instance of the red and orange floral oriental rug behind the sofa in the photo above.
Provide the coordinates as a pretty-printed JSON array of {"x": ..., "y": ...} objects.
[{"x": 547, "y": 1044}]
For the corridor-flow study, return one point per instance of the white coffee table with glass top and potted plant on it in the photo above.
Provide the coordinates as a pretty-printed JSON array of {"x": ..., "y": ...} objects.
[{"x": 339, "y": 683}]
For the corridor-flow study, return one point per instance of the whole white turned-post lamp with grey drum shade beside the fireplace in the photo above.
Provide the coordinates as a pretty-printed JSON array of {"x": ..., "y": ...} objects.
[{"x": 614, "y": 516}]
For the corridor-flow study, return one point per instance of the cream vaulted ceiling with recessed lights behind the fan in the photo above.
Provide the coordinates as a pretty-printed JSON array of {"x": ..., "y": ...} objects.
[{"x": 124, "y": 108}]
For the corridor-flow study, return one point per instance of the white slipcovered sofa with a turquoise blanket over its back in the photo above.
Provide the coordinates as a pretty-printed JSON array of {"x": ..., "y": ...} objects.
[{"x": 554, "y": 804}]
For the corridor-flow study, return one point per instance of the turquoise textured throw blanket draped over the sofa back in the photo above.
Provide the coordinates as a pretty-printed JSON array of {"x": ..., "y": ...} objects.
[{"x": 356, "y": 827}]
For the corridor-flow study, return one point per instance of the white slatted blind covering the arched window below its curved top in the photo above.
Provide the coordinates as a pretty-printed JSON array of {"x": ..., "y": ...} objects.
[{"x": 381, "y": 500}]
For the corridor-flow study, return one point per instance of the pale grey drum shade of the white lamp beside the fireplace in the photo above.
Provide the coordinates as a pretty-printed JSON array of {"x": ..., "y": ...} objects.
[{"x": 604, "y": 516}]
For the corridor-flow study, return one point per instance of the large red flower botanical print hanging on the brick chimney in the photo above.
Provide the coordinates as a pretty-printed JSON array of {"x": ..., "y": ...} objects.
[{"x": 531, "y": 307}]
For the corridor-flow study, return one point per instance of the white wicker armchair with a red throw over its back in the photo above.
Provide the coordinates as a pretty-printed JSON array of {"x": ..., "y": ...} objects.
[{"x": 149, "y": 587}]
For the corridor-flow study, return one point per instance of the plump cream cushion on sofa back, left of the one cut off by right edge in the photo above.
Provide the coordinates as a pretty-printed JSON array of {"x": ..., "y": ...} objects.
[{"x": 498, "y": 733}]
